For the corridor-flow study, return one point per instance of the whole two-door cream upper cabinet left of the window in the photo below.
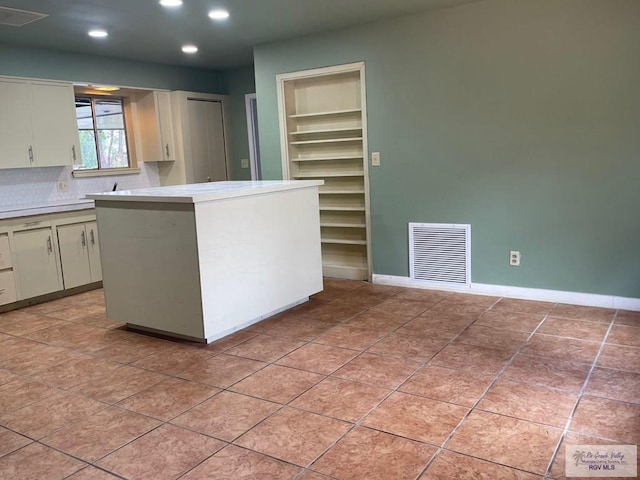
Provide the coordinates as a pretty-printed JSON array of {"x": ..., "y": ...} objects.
[{"x": 37, "y": 124}]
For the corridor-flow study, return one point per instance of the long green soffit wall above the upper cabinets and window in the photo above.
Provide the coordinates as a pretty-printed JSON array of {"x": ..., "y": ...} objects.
[{"x": 56, "y": 65}]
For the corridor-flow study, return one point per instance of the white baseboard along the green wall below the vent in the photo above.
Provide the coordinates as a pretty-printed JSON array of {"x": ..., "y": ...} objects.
[{"x": 573, "y": 298}]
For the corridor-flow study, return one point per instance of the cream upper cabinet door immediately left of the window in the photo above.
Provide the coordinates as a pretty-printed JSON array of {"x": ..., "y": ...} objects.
[{"x": 55, "y": 133}]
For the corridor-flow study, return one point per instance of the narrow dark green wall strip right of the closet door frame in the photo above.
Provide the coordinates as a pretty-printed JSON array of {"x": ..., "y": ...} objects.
[{"x": 237, "y": 83}]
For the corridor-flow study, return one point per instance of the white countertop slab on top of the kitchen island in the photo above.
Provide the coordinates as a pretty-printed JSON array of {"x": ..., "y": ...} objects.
[{"x": 203, "y": 192}]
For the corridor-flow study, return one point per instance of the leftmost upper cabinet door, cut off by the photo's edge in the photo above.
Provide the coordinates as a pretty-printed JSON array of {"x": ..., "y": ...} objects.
[{"x": 15, "y": 124}]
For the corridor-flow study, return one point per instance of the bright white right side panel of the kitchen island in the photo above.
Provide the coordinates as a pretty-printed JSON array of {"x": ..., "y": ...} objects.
[{"x": 258, "y": 254}]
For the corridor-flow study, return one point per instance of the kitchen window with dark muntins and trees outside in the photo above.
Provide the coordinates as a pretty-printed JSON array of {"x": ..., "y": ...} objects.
[{"x": 103, "y": 137}]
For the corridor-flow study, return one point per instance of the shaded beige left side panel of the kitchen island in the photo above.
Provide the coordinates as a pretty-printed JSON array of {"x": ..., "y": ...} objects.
[{"x": 150, "y": 265}]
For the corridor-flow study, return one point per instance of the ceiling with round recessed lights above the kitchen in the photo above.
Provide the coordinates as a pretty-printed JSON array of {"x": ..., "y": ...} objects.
[{"x": 143, "y": 30}]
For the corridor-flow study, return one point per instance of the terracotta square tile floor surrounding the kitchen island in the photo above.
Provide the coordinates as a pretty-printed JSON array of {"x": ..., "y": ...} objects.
[{"x": 362, "y": 382}]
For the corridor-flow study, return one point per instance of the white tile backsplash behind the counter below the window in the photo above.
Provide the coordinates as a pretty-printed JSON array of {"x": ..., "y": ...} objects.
[{"x": 29, "y": 186}]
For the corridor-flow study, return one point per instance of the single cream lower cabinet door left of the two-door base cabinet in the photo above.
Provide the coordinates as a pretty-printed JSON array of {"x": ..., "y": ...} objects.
[{"x": 35, "y": 262}]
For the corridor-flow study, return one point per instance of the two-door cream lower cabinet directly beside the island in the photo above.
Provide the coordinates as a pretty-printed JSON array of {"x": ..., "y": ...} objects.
[{"x": 79, "y": 254}]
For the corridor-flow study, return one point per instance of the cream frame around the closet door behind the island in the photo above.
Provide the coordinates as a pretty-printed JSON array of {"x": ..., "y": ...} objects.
[{"x": 182, "y": 170}]
